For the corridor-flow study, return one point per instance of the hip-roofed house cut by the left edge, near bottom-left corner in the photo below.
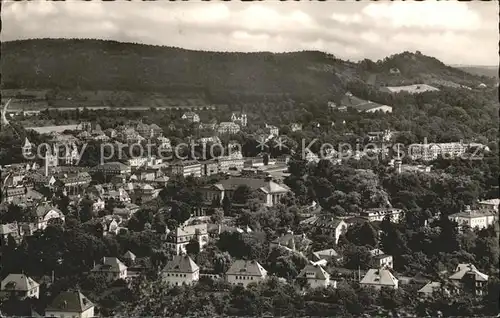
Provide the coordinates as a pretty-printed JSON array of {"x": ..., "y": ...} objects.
[{"x": 20, "y": 286}]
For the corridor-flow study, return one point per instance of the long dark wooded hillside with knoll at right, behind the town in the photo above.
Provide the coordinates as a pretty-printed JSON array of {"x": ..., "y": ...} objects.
[{"x": 98, "y": 72}]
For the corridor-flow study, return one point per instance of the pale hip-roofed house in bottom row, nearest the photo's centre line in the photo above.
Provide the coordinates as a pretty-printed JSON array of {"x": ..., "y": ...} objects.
[{"x": 243, "y": 272}]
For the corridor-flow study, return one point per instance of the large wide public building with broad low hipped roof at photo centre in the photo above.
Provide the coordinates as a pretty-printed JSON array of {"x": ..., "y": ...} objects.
[{"x": 271, "y": 192}]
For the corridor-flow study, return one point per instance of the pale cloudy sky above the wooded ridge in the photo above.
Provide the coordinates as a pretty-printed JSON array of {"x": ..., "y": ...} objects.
[{"x": 454, "y": 32}]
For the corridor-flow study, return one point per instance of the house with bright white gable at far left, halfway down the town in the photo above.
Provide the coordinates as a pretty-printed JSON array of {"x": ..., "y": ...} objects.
[{"x": 39, "y": 217}]
